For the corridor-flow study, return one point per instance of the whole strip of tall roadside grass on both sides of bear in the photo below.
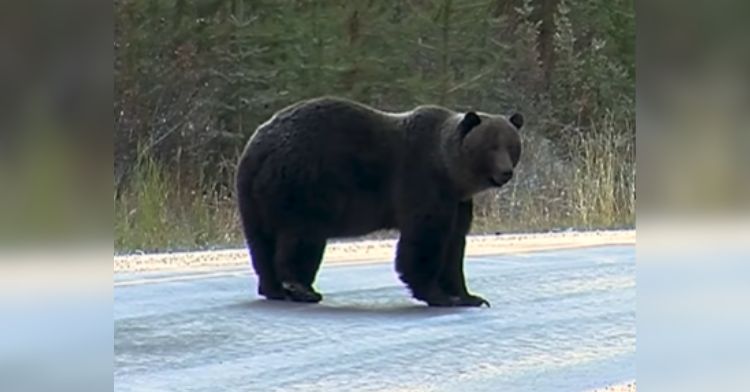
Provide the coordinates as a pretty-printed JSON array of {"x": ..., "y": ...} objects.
[{"x": 595, "y": 189}]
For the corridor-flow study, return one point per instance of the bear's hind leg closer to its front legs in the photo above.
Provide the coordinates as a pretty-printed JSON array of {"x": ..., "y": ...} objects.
[{"x": 298, "y": 258}]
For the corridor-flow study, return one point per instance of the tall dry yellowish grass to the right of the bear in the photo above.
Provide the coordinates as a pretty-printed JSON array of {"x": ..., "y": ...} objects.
[{"x": 594, "y": 189}]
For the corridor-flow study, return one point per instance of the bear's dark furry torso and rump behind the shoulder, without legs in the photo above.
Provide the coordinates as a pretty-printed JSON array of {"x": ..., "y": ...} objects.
[{"x": 328, "y": 162}]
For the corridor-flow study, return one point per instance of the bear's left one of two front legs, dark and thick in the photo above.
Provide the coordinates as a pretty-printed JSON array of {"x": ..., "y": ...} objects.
[{"x": 419, "y": 254}]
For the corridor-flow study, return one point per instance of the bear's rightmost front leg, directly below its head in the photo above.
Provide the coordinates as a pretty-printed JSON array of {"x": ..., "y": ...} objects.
[{"x": 452, "y": 278}]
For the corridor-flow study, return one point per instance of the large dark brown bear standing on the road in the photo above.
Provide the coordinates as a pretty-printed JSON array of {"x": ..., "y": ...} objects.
[{"x": 329, "y": 167}]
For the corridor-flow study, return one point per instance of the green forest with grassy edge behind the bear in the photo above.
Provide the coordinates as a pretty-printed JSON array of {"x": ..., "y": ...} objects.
[{"x": 193, "y": 79}]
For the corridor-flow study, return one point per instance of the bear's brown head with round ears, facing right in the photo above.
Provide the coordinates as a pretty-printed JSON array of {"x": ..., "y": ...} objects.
[{"x": 488, "y": 151}]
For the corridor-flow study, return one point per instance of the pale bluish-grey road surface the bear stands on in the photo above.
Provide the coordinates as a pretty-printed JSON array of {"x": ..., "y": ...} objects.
[{"x": 560, "y": 321}]
